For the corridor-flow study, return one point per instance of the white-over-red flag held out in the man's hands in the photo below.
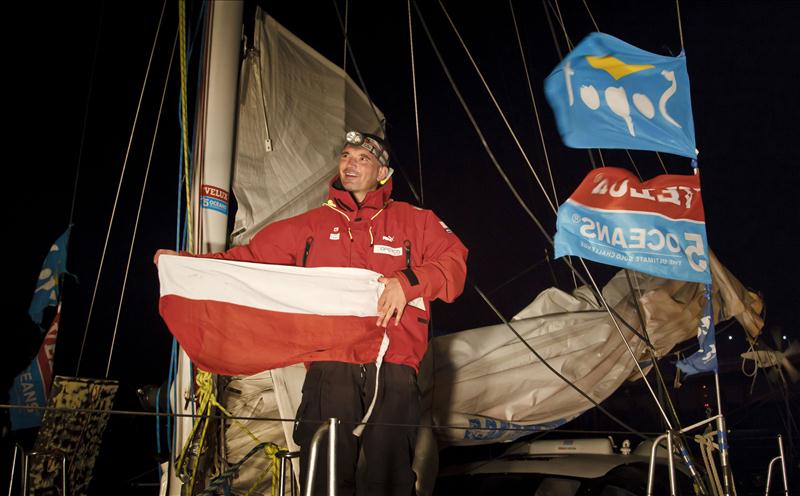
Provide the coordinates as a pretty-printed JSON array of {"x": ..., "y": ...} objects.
[{"x": 241, "y": 318}]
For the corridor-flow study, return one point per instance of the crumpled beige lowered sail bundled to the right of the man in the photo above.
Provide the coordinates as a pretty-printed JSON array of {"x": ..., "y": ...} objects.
[{"x": 487, "y": 379}]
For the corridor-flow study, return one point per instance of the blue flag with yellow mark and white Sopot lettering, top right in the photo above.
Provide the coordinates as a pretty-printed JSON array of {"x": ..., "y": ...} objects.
[{"x": 609, "y": 94}]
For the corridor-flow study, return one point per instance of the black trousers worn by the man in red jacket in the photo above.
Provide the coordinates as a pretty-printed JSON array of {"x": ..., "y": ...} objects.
[{"x": 379, "y": 462}]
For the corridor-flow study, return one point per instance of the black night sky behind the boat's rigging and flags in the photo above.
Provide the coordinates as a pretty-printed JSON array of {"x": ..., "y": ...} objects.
[{"x": 742, "y": 59}]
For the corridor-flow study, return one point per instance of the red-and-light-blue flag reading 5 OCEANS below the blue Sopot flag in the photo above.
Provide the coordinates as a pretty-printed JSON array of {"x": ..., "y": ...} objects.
[{"x": 656, "y": 227}]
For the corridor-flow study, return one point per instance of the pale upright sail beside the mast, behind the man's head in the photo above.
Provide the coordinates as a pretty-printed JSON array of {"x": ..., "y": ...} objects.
[{"x": 295, "y": 108}]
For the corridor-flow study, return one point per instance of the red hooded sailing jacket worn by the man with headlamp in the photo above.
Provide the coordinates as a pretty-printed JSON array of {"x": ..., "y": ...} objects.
[{"x": 393, "y": 238}]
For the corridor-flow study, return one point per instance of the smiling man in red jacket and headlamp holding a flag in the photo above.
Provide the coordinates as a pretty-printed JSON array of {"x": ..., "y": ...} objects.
[{"x": 421, "y": 260}]
